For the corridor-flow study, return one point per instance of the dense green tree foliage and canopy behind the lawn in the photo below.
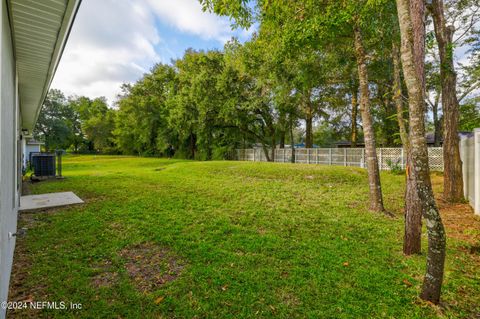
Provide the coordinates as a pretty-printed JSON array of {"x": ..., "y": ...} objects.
[{"x": 294, "y": 81}]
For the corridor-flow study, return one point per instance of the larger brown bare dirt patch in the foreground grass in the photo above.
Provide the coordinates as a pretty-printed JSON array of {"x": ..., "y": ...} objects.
[{"x": 150, "y": 266}]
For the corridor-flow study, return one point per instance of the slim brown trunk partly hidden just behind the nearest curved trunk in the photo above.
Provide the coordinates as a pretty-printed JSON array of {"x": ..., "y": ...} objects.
[{"x": 412, "y": 240}]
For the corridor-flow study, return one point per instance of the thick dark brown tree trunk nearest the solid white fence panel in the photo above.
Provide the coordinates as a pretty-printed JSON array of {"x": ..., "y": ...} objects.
[{"x": 452, "y": 171}]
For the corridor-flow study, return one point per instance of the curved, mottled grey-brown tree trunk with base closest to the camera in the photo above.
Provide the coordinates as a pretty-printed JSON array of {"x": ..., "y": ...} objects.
[{"x": 412, "y": 28}]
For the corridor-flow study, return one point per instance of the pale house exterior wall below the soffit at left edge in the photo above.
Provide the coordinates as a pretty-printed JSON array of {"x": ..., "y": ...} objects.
[{"x": 9, "y": 150}]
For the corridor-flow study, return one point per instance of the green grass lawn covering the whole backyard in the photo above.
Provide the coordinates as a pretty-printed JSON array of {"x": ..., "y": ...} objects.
[{"x": 227, "y": 240}]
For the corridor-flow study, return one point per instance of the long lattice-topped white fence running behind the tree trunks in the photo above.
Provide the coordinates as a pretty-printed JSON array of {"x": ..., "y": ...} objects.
[{"x": 341, "y": 156}]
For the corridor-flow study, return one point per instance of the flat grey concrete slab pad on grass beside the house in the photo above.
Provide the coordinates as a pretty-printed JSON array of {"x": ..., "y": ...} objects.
[{"x": 34, "y": 202}]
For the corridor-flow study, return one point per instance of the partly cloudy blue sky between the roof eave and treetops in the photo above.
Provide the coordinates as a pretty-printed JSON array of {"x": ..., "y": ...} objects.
[{"x": 117, "y": 41}]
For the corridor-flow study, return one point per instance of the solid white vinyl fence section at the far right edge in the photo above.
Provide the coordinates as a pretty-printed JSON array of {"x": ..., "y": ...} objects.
[{"x": 470, "y": 154}]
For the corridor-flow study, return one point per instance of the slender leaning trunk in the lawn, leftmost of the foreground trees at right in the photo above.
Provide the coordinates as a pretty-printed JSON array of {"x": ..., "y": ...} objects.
[{"x": 376, "y": 200}]
